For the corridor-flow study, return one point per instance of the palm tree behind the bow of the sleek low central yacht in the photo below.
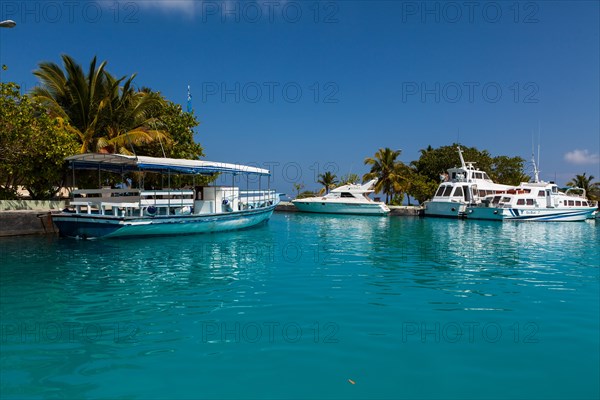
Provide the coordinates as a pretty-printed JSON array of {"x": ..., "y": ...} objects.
[{"x": 388, "y": 171}]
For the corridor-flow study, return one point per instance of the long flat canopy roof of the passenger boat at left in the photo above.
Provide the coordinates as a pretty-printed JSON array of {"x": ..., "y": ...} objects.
[{"x": 124, "y": 163}]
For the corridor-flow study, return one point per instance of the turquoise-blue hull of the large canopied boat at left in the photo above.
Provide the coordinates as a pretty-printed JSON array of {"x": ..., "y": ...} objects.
[{"x": 93, "y": 226}]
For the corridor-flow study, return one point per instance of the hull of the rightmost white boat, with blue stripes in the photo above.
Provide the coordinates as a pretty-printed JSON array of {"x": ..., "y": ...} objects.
[{"x": 540, "y": 215}]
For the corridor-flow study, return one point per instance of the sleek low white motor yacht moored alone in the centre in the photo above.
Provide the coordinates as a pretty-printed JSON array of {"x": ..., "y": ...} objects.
[{"x": 346, "y": 199}]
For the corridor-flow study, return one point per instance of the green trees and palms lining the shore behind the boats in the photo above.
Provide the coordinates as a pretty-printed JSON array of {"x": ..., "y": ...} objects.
[{"x": 73, "y": 112}]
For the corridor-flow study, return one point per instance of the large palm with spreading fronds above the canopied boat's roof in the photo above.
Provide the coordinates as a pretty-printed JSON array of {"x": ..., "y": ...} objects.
[{"x": 94, "y": 107}]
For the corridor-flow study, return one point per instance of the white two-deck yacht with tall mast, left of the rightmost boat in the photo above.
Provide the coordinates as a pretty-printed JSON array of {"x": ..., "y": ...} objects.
[{"x": 461, "y": 186}]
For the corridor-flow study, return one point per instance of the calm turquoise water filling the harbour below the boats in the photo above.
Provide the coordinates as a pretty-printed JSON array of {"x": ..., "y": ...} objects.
[{"x": 302, "y": 306}]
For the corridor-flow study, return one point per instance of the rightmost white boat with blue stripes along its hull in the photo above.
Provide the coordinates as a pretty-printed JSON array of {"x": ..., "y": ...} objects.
[{"x": 535, "y": 201}]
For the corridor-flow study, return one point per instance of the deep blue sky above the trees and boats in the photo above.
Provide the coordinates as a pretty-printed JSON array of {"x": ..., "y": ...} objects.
[{"x": 302, "y": 87}]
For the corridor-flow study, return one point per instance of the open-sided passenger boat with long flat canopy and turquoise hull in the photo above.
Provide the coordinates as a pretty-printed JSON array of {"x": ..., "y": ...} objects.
[{"x": 125, "y": 211}]
